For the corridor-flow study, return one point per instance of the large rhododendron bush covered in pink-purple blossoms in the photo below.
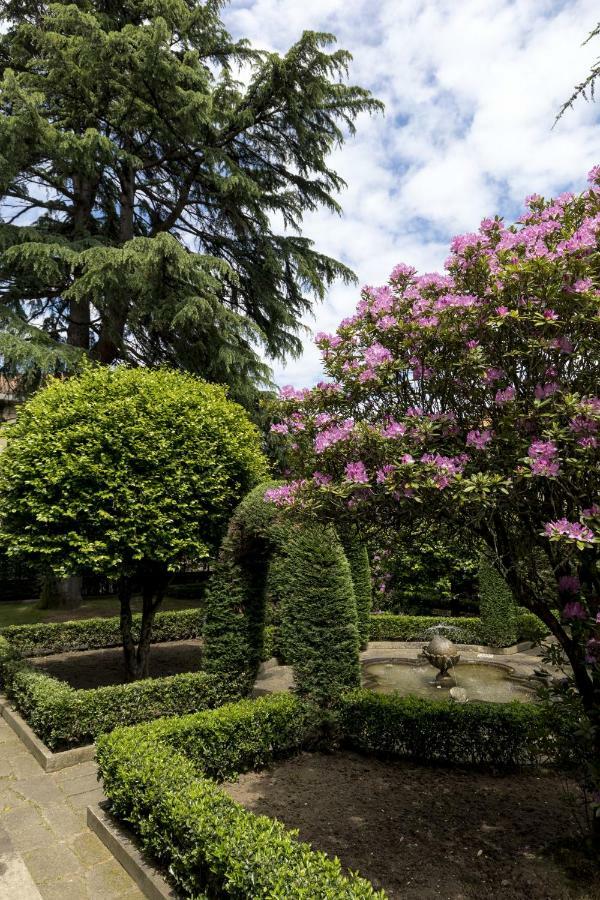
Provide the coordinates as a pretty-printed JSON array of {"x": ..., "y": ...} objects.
[{"x": 472, "y": 397}]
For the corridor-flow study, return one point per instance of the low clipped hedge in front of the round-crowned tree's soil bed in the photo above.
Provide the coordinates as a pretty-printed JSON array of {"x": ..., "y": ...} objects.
[{"x": 64, "y": 717}]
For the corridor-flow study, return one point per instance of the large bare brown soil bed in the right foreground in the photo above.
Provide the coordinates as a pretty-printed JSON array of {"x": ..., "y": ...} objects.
[{"x": 424, "y": 833}]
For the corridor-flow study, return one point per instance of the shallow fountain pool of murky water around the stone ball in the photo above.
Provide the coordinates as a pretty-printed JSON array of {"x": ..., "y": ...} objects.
[{"x": 490, "y": 682}]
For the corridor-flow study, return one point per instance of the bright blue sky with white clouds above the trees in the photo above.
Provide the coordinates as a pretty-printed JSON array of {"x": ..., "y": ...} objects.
[{"x": 471, "y": 90}]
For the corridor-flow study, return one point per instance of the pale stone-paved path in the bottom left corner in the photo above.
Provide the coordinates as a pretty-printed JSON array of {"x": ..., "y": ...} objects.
[{"x": 44, "y": 816}]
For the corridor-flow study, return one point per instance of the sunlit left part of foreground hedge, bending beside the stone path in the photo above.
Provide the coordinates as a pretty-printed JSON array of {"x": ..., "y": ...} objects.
[{"x": 212, "y": 846}]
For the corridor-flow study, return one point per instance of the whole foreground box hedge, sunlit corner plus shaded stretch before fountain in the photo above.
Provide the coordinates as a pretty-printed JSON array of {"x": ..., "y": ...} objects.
[{"x": 160, "y": 780}]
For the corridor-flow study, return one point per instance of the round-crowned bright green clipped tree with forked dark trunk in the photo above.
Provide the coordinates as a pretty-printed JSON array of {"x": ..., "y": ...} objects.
[{"x": 125, "y": 473}]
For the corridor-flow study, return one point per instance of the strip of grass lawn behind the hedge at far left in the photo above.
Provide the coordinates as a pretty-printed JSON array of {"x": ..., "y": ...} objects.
[{"x": 27, "y": 613}]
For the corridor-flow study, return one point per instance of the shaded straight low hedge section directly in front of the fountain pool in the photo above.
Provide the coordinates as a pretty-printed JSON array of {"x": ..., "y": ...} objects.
[{"x": 497, "y": 735}]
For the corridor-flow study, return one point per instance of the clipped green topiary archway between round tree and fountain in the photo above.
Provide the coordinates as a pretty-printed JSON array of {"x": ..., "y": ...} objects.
[{"x": 259, "y": 561}]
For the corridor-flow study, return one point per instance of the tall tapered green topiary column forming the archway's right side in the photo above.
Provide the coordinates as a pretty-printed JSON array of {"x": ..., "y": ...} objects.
[{"x": 319, "y": 632}]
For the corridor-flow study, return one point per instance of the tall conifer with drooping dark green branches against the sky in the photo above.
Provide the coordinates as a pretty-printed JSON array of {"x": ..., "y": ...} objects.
[{"x": 151, "y": 200}]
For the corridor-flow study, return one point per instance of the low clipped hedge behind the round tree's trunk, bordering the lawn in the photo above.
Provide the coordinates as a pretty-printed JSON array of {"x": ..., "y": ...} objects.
[{"x": 93, "y": 634}]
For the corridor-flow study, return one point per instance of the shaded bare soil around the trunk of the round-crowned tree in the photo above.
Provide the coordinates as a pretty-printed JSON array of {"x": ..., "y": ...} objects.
[{"x": 97, "y": 668}]
